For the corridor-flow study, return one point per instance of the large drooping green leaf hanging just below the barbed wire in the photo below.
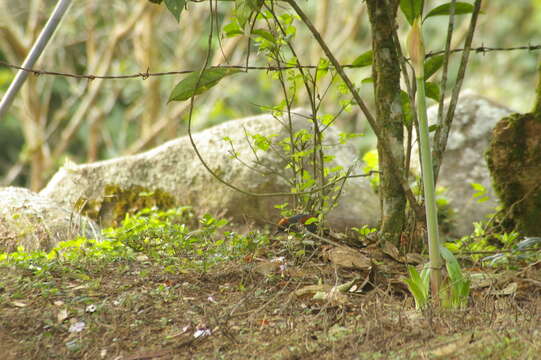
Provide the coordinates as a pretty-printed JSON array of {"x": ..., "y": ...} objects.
[{"x": 186, "y": 88}]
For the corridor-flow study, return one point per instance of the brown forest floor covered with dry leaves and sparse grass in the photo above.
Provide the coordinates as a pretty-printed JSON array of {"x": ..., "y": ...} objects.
[{"x": 256, "y": 308}]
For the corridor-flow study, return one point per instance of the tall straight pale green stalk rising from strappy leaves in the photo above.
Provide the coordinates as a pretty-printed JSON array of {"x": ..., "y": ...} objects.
[{"x": 416, "y": 50}]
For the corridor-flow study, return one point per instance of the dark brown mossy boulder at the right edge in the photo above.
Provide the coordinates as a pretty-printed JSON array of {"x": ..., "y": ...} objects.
[{"x": 514, "y": 160}]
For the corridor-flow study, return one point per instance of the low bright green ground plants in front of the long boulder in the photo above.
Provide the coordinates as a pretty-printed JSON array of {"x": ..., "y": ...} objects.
[{"x": 165, "y": 237}]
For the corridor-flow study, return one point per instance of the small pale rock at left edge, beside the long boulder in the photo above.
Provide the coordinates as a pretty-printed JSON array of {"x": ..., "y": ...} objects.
[{"x": 37, "y": 223}]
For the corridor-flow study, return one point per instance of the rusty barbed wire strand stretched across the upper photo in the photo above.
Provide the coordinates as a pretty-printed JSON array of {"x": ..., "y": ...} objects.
[{"x": 147, "y": 74}]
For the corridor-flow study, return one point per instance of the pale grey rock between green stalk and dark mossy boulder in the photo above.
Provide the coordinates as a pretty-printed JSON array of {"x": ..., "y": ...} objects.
[{"x": 464, "y": 163}]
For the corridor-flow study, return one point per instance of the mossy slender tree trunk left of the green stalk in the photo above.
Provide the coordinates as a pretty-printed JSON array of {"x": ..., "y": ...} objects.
[{"x": 386, "y": 74}]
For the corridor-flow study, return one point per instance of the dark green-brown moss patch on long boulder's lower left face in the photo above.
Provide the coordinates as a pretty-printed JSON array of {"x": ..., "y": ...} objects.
[{"x": 111, "y": 208}]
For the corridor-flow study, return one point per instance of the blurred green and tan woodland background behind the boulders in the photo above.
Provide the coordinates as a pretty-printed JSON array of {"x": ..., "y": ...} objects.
[{"x": 56, "y": 117}]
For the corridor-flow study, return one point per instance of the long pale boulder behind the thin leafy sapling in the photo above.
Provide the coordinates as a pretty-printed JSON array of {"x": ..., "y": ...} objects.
[{"x": 173, "y": 170}]
